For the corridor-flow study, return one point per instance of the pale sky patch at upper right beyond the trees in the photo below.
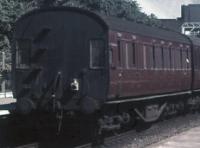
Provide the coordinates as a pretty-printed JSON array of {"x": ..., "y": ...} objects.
[{"x": 165, "y": 8}]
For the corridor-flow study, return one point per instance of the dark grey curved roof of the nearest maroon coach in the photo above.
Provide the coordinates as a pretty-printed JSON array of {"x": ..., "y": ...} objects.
[{"x": 122, "y": 25}]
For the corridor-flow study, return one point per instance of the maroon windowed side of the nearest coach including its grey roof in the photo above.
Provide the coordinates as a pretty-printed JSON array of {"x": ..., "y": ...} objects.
[{"x": 147, "y": 60}]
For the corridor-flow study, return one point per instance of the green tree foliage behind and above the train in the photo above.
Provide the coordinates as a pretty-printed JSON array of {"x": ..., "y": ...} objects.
[{"x": 11, "y": 10}]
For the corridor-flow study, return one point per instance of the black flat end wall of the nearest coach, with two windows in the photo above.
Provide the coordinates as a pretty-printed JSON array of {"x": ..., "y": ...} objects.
[{"x": 60, "y": 54}]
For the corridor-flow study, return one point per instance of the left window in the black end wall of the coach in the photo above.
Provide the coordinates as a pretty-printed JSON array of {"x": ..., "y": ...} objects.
[{"x": 23, "y": 51}]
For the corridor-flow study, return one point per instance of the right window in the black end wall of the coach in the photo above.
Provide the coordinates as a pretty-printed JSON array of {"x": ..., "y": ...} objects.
[{"x": 97, "y": 54}]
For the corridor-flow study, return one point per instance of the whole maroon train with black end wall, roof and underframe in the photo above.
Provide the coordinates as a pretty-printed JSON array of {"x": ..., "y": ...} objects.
[{"x": 73, "y": 60}]
